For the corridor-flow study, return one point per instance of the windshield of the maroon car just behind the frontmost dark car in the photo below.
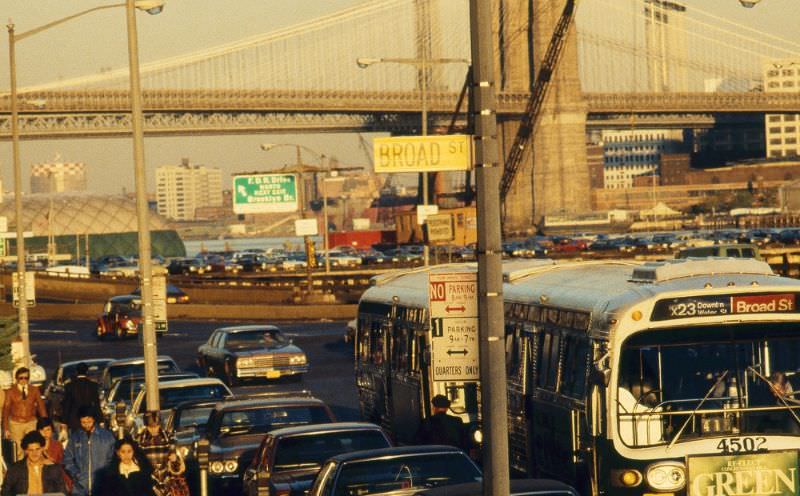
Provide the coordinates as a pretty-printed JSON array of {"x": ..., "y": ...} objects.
[{"x": 311, "y": 450}]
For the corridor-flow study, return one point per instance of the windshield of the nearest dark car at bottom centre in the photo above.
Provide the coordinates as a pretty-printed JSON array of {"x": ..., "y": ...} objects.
[{"x": 406, "y": 472}]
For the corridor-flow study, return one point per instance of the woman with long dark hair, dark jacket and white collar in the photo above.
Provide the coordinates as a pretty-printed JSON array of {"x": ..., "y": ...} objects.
[{"x": 128, "y": 474}]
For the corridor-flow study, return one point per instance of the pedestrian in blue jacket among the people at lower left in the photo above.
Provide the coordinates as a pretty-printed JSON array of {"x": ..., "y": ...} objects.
[{"x": 89, "y": 449}]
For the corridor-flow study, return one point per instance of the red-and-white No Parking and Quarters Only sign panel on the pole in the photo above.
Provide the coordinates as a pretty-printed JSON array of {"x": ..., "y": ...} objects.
[{"x": 454, "y": 326}]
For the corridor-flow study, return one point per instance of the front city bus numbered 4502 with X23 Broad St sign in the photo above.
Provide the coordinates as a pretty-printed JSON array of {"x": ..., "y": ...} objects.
[{"x": 674, "y": 377}]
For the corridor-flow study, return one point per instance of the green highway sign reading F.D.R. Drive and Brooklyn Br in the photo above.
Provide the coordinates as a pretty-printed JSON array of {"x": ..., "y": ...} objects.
[{"x": 264, "y": 193}]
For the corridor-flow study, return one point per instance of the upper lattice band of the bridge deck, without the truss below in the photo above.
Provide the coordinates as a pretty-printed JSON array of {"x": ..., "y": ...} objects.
[{"x": 336, "y": 101}]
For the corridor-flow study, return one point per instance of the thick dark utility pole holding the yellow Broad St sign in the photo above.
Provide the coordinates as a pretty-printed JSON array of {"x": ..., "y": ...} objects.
[{"x": 490, "y": 271}]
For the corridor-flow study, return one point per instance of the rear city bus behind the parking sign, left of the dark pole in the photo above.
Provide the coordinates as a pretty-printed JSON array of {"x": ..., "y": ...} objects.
[{"x": 394, "y": 355}]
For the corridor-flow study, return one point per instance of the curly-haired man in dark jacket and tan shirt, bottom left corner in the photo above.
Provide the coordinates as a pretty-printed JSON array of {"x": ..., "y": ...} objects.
[{"x": 34, "y": 474}]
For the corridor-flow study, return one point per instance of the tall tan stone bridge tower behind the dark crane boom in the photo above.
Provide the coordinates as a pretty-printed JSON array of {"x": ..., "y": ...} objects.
[{"x": 555, "y": 178}]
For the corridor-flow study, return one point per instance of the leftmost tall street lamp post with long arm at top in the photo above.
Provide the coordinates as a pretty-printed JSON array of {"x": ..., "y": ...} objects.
[{"x": 152, "y": 7}]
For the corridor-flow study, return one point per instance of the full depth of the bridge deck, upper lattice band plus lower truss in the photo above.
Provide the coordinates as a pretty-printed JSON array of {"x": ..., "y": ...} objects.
[{"x": 180, "y": 112}]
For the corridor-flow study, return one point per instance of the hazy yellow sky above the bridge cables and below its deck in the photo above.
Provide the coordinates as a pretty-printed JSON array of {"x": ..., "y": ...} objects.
[{"x": 86, "y": 45}]
